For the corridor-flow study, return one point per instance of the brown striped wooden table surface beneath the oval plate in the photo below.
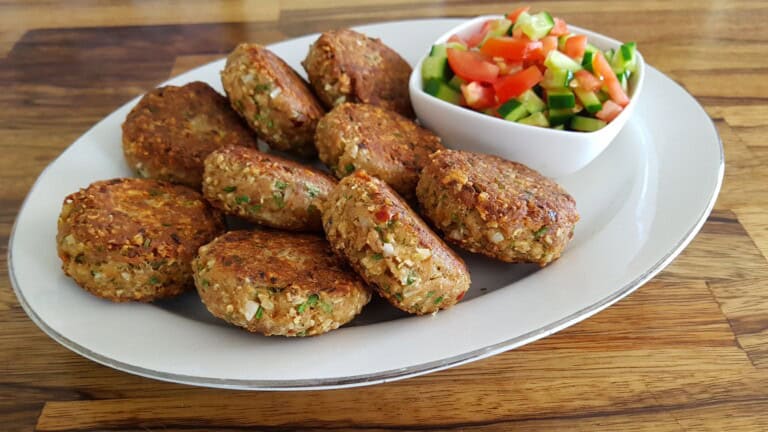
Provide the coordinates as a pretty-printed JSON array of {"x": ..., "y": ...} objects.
[{"x": 688, "y": 351}]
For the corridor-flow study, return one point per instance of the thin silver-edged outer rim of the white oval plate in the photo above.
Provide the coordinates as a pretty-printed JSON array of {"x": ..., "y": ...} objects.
[{"x": 388, "y": 375}]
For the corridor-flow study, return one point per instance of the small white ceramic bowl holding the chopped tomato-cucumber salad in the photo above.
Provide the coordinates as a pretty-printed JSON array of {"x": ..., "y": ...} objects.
[{"x": 553, "y": 153}]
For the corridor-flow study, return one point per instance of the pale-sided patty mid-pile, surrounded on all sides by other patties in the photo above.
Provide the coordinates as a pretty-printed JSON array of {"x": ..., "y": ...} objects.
[{"x": 266, "y": 189}]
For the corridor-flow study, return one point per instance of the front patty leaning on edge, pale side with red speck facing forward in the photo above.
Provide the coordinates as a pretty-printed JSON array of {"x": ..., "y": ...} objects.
[{"x": 391, "y": 247}]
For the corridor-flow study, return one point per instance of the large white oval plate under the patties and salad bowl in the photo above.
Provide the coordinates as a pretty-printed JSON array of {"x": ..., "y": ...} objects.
[{"x": 641, "y": 202}]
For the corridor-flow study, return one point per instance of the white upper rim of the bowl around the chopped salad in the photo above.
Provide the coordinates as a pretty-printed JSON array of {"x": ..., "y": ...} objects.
[{"x": 415, "y": 82}]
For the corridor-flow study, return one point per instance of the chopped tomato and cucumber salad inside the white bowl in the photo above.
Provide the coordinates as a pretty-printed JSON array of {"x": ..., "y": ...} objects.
[{"x": 529, "y": 68}]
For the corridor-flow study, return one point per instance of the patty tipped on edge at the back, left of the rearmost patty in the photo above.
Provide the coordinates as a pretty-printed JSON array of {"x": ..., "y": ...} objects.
[{"x": 272, "y": 98}]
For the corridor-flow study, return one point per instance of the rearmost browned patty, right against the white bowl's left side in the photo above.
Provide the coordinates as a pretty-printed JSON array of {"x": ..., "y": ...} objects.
[{"x": 347, "y": 66}]
